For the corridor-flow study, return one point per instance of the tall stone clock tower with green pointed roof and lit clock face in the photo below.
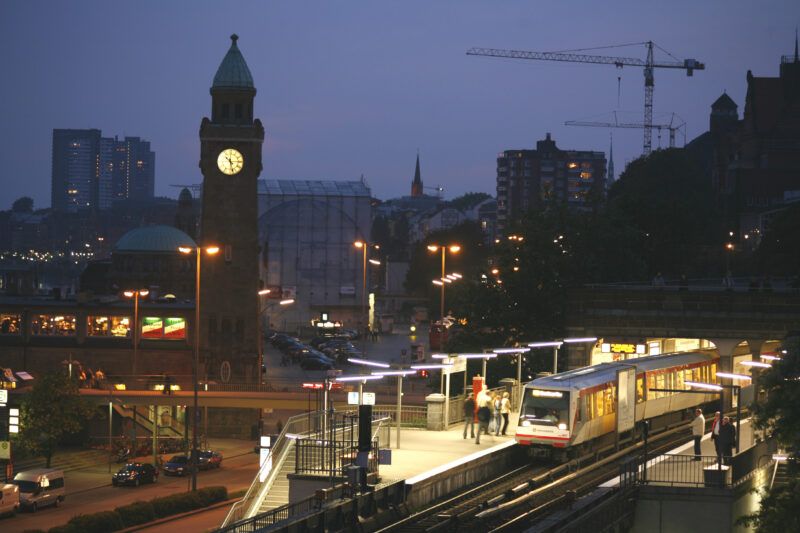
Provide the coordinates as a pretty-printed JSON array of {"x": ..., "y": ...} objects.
[{"x": 230, "y": 160}]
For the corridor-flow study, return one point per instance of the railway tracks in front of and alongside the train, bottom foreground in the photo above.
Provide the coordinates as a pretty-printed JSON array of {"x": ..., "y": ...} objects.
[{"x": 513, "y": 500}]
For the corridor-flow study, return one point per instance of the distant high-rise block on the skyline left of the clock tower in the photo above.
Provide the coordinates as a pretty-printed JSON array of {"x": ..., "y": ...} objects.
[{"x": 90, "y": 171}]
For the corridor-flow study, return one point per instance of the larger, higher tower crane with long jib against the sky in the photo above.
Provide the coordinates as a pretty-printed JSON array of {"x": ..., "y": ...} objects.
[{"x": 648, "y": 64}]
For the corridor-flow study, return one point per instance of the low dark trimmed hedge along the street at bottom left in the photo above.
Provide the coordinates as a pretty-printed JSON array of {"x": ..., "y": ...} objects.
[{"x": 142, "y": 512}]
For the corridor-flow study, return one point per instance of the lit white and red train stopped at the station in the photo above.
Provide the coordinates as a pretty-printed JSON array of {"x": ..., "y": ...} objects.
[{"x": 576, "y": 411}]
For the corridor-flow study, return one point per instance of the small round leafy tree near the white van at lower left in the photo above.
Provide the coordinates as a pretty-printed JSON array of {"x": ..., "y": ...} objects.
[{"x": 52, "y": 410}]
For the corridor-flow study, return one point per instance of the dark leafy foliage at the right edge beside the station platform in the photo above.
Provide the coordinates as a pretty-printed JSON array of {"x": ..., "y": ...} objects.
[{"x": 779, "y": 416}]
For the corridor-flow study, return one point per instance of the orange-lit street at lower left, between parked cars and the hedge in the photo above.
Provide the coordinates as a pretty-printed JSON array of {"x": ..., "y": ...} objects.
[{"x": 236, "y": 473}]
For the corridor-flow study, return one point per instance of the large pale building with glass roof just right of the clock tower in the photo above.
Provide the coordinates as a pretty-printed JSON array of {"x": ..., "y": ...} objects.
[{"x": 306, "y": 233}]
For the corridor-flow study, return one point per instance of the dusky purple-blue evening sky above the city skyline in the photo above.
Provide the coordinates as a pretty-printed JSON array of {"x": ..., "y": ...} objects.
[{"x": 356, "y": 87}]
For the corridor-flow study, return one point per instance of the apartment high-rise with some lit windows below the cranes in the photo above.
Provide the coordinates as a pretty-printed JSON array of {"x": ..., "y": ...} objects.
[{"x": 530, "y": 179}]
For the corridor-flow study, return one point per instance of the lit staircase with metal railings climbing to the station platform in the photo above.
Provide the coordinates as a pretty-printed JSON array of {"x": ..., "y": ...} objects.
[{"x": 306, "y": 424}]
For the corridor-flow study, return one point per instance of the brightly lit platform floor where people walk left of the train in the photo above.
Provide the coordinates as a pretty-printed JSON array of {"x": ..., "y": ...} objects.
[{"x": 426, "y": 452}]
